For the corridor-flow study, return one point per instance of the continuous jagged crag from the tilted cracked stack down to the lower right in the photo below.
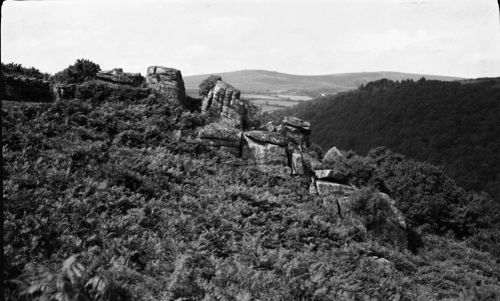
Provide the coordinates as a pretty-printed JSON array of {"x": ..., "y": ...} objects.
[{"x": 284, "y": 147}]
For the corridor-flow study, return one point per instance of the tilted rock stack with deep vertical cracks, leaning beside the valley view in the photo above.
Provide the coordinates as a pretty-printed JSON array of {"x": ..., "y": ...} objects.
[{"x": 223, "y": 101}]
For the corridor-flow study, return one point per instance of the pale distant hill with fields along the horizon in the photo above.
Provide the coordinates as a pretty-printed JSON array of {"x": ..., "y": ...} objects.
[{"x": 275, "y": 82}]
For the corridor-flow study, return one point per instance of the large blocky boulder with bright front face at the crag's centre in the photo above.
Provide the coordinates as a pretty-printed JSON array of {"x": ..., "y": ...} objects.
[{"x": 267, "y": 149}]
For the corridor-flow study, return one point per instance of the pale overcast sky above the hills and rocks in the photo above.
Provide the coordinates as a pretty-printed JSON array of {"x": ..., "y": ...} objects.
[{"x": 443, "y": 37}]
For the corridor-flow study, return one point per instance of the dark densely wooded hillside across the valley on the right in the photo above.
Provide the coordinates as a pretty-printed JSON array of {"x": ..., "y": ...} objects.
[{"x": 455, "y": 125}]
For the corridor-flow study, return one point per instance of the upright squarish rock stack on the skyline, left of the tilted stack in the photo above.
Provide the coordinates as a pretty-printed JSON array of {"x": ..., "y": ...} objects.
[{"x": 167, "y": 81}]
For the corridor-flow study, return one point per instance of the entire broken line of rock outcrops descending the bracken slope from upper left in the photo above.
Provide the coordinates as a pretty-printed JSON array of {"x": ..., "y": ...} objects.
[{"x": 274, "y": 147}]
